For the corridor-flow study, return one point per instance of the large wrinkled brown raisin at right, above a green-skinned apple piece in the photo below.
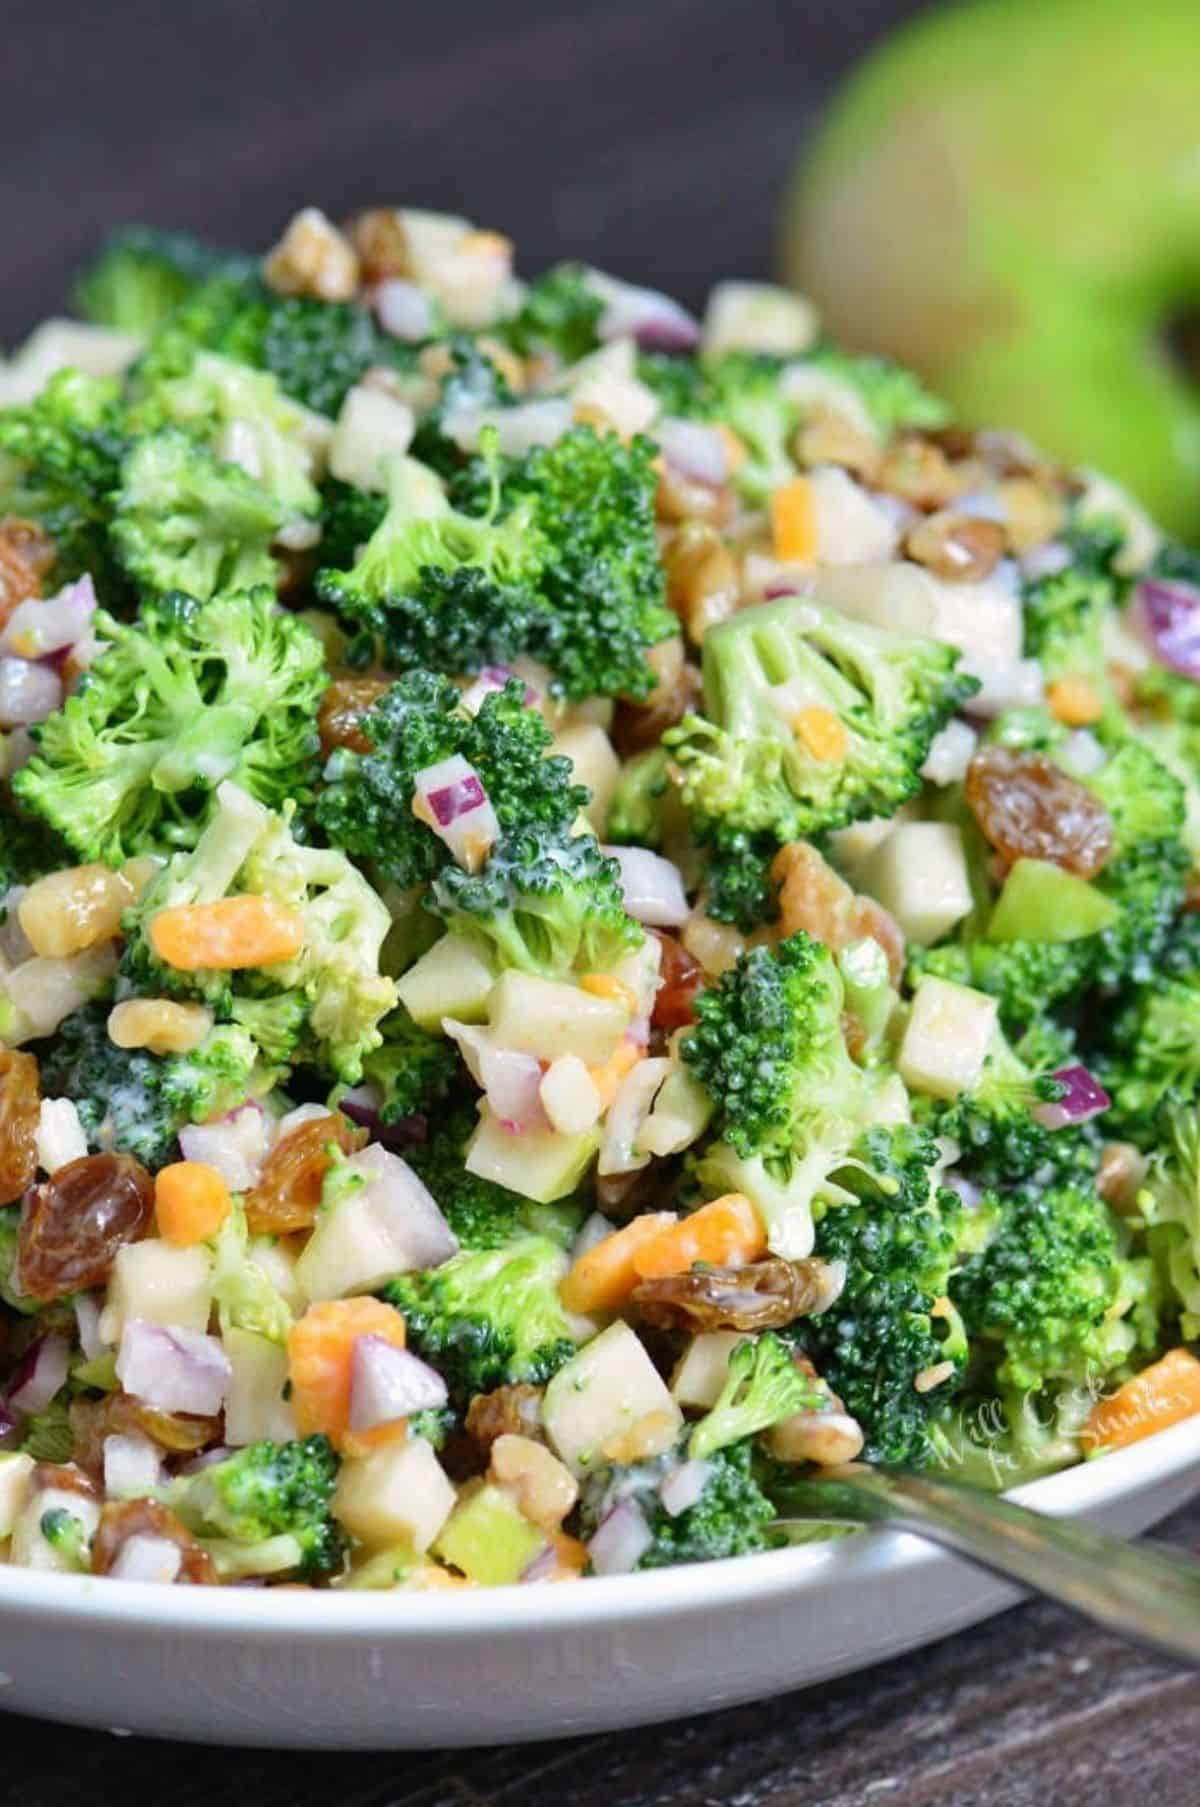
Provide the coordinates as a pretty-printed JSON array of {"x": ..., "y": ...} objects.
[{"x": 1031, "y": 810}]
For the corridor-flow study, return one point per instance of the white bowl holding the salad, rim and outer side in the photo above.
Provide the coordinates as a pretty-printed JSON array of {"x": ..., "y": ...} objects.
[{"x": 417, "y": 1671}]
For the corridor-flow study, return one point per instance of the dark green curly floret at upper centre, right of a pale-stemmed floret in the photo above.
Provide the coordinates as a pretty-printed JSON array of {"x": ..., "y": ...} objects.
[{"x": 592, "y": 501}]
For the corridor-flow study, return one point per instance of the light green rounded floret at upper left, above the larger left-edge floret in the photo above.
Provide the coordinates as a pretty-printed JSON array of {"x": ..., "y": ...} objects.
[{"x": 191, "y": 521}]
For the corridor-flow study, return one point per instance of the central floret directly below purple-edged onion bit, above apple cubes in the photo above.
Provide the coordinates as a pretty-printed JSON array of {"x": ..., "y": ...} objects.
[{"x": 545, "y": 903}]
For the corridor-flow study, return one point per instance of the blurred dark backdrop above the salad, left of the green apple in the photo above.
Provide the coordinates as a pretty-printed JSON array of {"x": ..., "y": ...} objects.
[{"x": 652, "y": 136}]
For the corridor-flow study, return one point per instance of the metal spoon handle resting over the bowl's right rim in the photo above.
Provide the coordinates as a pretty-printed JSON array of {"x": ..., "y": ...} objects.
[{"x": 1136, "y": 1589}]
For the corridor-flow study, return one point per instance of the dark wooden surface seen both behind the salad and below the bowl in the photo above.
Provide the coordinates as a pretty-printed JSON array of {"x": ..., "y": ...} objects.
[{"x": 652, "y": 136}]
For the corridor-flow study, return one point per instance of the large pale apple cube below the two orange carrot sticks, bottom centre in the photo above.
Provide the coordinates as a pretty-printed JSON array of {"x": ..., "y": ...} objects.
[{"x": 601, "y": 1396}]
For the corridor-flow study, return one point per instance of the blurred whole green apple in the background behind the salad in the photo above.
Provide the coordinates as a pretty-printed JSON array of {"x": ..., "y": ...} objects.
[{"x": 1008, "y": 198}]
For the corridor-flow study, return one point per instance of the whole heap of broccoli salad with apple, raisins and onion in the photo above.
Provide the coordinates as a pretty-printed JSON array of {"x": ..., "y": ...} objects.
[{"x": 599, "y": 912}]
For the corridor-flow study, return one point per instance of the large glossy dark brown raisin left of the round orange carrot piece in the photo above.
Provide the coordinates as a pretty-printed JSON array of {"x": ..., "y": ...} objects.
[{"x": 77, "y": 1221}]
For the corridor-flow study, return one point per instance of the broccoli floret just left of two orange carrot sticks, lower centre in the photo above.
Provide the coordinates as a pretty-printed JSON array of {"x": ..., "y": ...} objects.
[{"x": 489, "y": 1316}]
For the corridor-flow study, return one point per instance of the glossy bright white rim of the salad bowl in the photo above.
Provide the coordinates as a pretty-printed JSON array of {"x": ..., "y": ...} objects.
[{"x": 740, "y": 1580}]
